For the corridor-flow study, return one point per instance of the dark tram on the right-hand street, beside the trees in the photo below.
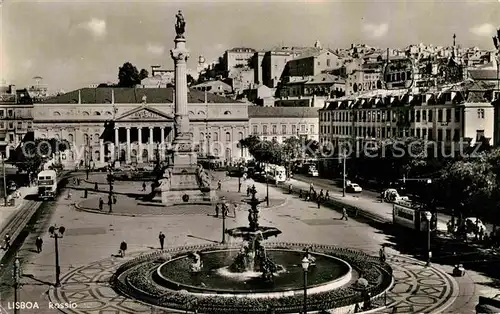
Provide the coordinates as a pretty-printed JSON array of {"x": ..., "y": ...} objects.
[{"x": 411, "y": 216}]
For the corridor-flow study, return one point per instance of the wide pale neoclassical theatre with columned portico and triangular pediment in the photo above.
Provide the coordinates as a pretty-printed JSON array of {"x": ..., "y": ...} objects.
[{"x": 143, "y": 124}]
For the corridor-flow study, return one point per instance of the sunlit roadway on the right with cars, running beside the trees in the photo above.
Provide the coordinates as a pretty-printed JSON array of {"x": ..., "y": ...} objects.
[{"x": 367, "y": 200}]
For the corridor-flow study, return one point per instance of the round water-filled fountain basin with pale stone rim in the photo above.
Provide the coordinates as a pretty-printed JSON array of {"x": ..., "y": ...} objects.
[{"x": 216, "y": 279}]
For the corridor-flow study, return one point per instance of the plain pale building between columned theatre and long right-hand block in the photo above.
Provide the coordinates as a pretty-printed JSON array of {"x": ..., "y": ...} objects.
[{"x": 279, "y": 123}]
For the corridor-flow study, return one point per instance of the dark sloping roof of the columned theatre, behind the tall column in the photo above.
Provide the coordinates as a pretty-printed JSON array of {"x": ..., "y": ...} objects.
[{"x": 123, "y": 95}]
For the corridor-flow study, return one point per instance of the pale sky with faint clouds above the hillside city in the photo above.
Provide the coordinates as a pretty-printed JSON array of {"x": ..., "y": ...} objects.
[{"x": 72, "y": 44}]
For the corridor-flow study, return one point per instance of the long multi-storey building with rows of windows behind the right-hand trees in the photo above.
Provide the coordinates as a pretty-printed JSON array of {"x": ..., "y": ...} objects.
[{"x": 448, "y": 117}]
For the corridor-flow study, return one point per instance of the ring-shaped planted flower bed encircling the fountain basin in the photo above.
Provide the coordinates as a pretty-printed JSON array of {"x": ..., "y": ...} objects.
[{"x": 135, "y": 279}]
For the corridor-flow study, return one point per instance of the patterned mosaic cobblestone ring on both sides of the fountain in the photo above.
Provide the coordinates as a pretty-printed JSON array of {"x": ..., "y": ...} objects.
[{"x": 416, "y": 289}]
